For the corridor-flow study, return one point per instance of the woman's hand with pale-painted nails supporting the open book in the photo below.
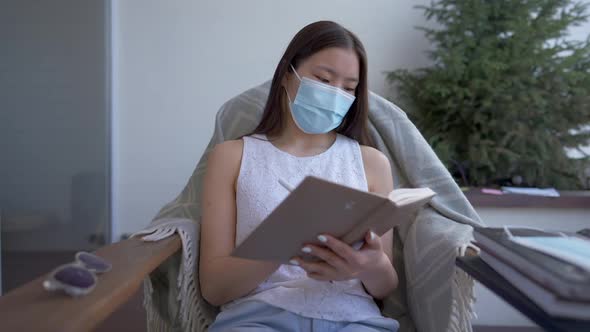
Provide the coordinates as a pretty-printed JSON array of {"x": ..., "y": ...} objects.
[{"x": 339, "y": 261}]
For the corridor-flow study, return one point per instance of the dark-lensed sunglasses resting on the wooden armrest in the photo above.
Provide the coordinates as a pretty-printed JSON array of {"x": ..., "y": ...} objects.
[{"x": 79, "y": 277}]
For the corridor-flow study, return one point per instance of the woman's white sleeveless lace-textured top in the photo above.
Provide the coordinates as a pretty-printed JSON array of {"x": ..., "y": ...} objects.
[{"x": 259, "y": 192}]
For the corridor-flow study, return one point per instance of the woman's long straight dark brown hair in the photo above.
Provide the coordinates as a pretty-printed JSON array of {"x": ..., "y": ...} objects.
[{"x": 310, "y": 40}]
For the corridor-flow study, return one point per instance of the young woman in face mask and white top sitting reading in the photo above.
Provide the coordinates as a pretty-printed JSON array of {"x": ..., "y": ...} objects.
[{"x": 314, "y": 123}]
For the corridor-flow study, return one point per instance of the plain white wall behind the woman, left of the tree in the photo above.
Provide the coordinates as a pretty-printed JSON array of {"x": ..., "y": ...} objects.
[{"x": 175, "y": 62}]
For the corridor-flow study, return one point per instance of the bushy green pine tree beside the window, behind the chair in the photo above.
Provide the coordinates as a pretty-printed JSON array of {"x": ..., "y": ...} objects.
[{"x": 506, "y": 91}]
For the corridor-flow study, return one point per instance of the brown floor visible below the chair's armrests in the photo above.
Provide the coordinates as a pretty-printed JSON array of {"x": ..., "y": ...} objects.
[{"x": 19, "y": 268}]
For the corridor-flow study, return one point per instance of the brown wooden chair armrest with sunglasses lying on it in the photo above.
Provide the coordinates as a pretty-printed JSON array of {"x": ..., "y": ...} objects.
[{"x": 31, "y": 308}]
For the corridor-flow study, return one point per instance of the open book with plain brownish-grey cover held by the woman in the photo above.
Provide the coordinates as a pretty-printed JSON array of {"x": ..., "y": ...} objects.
[{"x": 318, "y": 206}]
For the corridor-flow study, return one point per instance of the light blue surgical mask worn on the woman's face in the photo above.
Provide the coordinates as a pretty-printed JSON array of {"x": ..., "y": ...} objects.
[{"x": 319, "y": 108}]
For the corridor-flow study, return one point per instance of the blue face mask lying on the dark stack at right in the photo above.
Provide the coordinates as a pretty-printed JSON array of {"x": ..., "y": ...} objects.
[{"x": 571, "y": 249}]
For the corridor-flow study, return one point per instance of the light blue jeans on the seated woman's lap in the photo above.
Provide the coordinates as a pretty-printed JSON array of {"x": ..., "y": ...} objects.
[{"x": 257, "y": 316}]
